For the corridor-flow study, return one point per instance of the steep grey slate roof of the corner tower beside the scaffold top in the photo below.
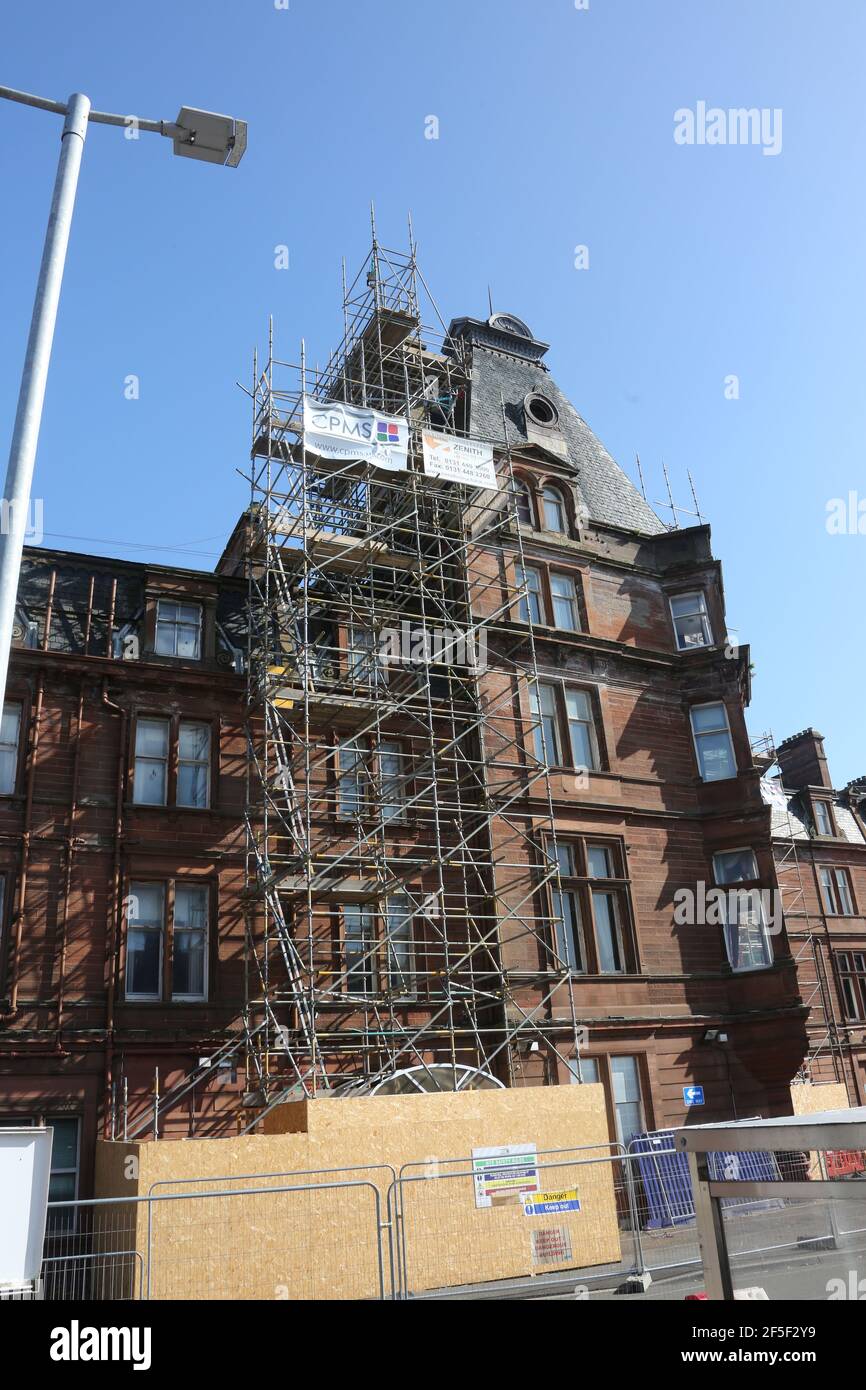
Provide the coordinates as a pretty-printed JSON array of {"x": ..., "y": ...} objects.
[{"x": 608, "y": 493}]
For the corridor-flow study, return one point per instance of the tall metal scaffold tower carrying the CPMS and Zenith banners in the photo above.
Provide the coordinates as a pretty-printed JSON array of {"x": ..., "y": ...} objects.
[{"x": 402, "y": 886}]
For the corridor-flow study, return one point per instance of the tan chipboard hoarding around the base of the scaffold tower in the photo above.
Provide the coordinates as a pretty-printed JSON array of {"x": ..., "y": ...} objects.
[{"x": 323, "y": 1245}]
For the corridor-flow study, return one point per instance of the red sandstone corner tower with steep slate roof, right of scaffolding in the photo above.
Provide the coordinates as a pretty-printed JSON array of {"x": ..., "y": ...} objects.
[{"x": 657, "y": 803}]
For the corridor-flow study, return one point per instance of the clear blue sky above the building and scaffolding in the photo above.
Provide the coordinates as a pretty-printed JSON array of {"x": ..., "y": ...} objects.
[{"x": 555, "y": 130}]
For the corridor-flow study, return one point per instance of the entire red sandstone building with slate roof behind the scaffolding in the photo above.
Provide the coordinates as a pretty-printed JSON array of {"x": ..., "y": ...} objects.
[{"x": 610, "y": 723}]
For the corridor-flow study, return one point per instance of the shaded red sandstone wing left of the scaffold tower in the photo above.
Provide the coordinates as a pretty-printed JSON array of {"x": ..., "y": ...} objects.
[{"x": 122, "y": 824}]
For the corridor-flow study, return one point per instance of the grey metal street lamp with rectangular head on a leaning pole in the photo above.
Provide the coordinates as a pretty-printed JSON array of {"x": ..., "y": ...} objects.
[{"x": 197, "y": 136}]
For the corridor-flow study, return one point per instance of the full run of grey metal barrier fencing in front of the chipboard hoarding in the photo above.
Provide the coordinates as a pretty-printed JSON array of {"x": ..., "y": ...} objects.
[{"x": 597, "y": 1217}]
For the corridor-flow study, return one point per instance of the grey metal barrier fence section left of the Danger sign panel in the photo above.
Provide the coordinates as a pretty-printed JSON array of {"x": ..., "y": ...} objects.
[{"x": 273, "y": 1239}]
